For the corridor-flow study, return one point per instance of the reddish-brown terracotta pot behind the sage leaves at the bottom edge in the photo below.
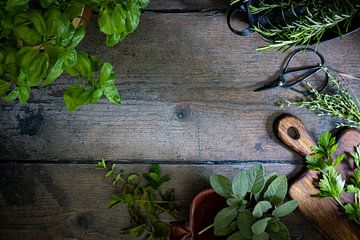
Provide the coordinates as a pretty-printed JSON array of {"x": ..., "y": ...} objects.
[{"x": 203, "y": 210}]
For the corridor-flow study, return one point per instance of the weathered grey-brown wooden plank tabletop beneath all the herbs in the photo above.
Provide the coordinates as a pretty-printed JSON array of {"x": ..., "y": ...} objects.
[{"x": 186, "y": 84}]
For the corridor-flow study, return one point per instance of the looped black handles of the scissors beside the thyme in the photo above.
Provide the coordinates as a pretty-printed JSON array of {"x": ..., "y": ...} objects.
[{"x": 310, "y": 71}]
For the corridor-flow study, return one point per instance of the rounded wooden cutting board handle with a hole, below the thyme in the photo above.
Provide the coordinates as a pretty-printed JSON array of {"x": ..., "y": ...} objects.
[{"x": 293, "y": 133}]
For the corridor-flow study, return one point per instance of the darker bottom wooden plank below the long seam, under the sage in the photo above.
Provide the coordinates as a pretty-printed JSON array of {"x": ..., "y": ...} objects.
[{"x": 68, "y": 201}]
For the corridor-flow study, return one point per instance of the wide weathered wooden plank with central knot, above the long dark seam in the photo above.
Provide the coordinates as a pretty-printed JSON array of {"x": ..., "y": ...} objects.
[{"x": 186, "y": 84}]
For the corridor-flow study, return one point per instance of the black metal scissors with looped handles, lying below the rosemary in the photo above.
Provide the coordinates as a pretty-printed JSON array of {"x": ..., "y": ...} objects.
[{"x": 306, "y": 72}]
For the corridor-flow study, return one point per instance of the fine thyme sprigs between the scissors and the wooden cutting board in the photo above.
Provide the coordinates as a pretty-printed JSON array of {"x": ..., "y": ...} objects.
[{"x": 339, "y": 104}]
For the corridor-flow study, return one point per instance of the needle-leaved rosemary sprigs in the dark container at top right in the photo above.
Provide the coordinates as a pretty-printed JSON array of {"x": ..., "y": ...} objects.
[{"x": 304, "y": 21}]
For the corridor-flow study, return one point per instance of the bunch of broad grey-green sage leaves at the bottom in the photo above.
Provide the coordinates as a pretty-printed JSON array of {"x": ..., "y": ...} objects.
[{"x": 255, "y": 205}]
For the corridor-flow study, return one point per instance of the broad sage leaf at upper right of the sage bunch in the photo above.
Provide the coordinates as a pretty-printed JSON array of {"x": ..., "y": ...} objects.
[{"x": 276, "y": 191}]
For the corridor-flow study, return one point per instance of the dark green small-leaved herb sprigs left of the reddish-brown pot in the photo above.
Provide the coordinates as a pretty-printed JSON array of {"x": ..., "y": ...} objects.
[{"x": 145, "y": 200}]
